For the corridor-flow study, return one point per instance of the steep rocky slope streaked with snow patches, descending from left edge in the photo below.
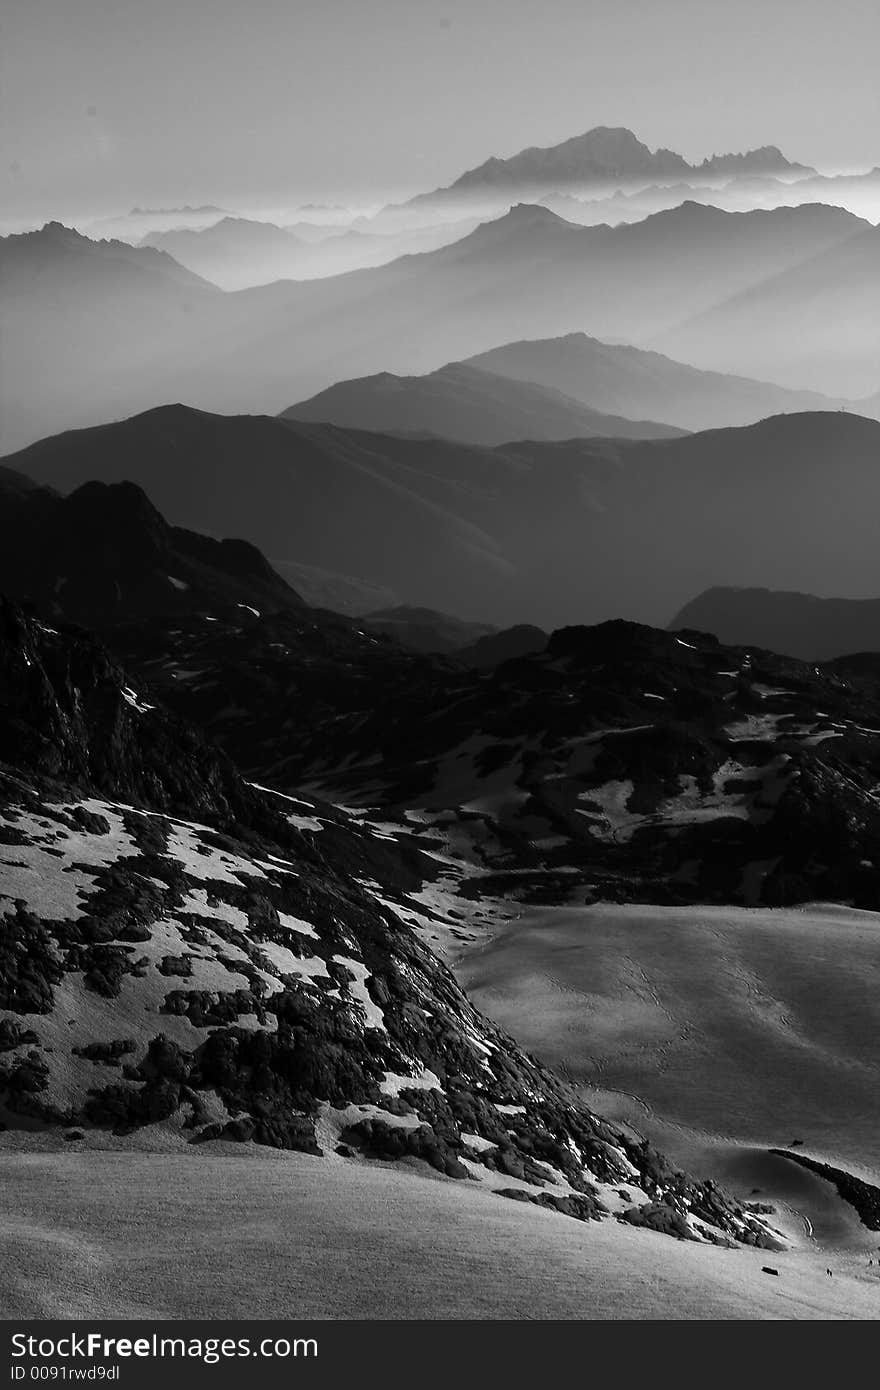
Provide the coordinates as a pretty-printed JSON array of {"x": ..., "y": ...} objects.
[{"x": 181, "y": 950}]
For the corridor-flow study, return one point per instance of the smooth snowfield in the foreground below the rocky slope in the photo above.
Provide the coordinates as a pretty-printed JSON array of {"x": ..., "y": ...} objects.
[{"x": 208, "y": 1236}]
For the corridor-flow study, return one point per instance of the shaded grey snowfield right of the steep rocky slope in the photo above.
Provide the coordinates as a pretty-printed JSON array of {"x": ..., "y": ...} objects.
[{"x": 718, "y": 1032}]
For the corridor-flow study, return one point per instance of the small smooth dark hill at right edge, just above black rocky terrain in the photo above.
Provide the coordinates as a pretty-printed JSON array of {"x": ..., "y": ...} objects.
[{"x": 799, "y": 625}]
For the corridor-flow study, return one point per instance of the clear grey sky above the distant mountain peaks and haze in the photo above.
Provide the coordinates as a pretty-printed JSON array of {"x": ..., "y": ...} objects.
[{"x": 250, "y": 104}]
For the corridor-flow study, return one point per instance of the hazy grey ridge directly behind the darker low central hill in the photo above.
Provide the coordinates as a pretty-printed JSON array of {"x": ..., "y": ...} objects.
[{"x": 639, "y": 384}]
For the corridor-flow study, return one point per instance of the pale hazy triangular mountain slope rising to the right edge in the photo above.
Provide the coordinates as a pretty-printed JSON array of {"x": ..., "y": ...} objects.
[{"x": 817, "y": 325}]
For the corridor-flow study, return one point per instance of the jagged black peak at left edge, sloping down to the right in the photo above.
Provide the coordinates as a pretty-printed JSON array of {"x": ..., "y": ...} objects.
[{"x": 105, "y": 554}]
